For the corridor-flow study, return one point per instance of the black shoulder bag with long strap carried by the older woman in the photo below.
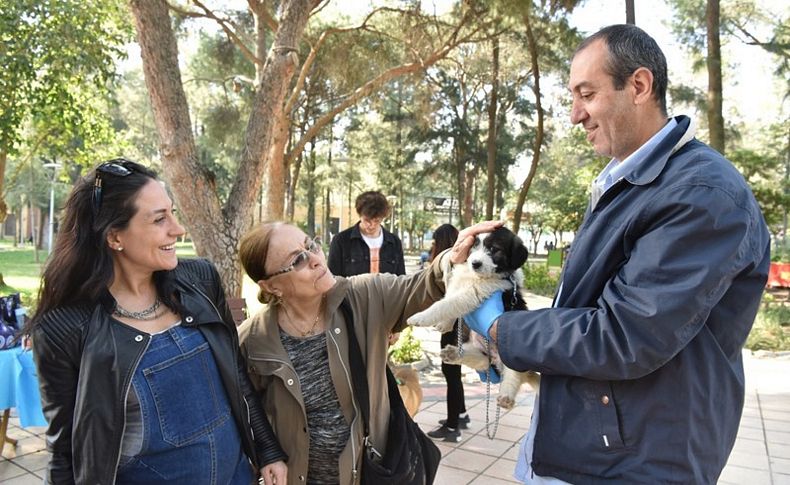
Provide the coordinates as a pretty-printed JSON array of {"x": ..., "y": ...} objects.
[{"x": 411, "y": 458}]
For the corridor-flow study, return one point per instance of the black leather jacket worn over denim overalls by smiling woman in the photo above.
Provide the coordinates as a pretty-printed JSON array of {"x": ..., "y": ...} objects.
[{"x": 86, "y": 362}]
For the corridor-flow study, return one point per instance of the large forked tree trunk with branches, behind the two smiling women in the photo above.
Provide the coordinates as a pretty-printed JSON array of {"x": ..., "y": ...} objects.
[{"x": 217, "y": 226}]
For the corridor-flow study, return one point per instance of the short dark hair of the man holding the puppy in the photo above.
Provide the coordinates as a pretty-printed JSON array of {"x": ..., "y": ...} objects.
[{"x": 629, "y": 49}]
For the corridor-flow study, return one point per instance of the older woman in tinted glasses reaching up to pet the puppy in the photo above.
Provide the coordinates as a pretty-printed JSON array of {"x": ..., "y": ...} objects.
[{"x": 297, "y": 347}]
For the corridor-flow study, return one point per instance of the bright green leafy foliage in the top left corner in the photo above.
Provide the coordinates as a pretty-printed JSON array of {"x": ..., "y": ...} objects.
[{"x": 56, "y": 56}]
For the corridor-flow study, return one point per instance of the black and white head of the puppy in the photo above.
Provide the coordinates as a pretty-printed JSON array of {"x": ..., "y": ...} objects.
[{"x": 500, "y": 251}]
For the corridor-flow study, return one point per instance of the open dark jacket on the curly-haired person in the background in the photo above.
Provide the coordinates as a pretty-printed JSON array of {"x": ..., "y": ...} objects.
[{"x": 349, "y": 255}]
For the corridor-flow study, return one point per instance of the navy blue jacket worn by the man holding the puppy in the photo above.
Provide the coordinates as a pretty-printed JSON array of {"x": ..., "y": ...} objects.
[{"x": 642, "y": 373}]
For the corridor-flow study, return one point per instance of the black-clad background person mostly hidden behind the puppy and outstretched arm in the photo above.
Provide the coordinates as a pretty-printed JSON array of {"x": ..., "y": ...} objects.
[{"x": 457, "y": 419}]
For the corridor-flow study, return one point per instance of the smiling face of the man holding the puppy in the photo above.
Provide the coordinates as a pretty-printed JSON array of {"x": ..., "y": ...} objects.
[{"x": 609, "y": 116}]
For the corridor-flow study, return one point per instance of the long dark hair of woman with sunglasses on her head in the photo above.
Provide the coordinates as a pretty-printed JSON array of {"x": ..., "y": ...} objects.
[{"x": 80, "y": 268}]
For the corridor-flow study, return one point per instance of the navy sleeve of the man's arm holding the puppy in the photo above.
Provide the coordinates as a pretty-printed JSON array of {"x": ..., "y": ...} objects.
[{"x": 682, "y": 260}]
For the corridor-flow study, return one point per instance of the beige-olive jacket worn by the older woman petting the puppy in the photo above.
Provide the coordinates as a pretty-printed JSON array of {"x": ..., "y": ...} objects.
[{"x": 381, "y": 303}]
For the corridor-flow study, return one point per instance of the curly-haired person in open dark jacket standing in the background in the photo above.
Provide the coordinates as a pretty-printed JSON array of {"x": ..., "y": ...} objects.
[{"x": 366, "y": 247}]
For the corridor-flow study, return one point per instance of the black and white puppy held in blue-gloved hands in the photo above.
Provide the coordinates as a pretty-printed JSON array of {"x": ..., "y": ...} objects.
[{"x": 494, "y": 263}]
